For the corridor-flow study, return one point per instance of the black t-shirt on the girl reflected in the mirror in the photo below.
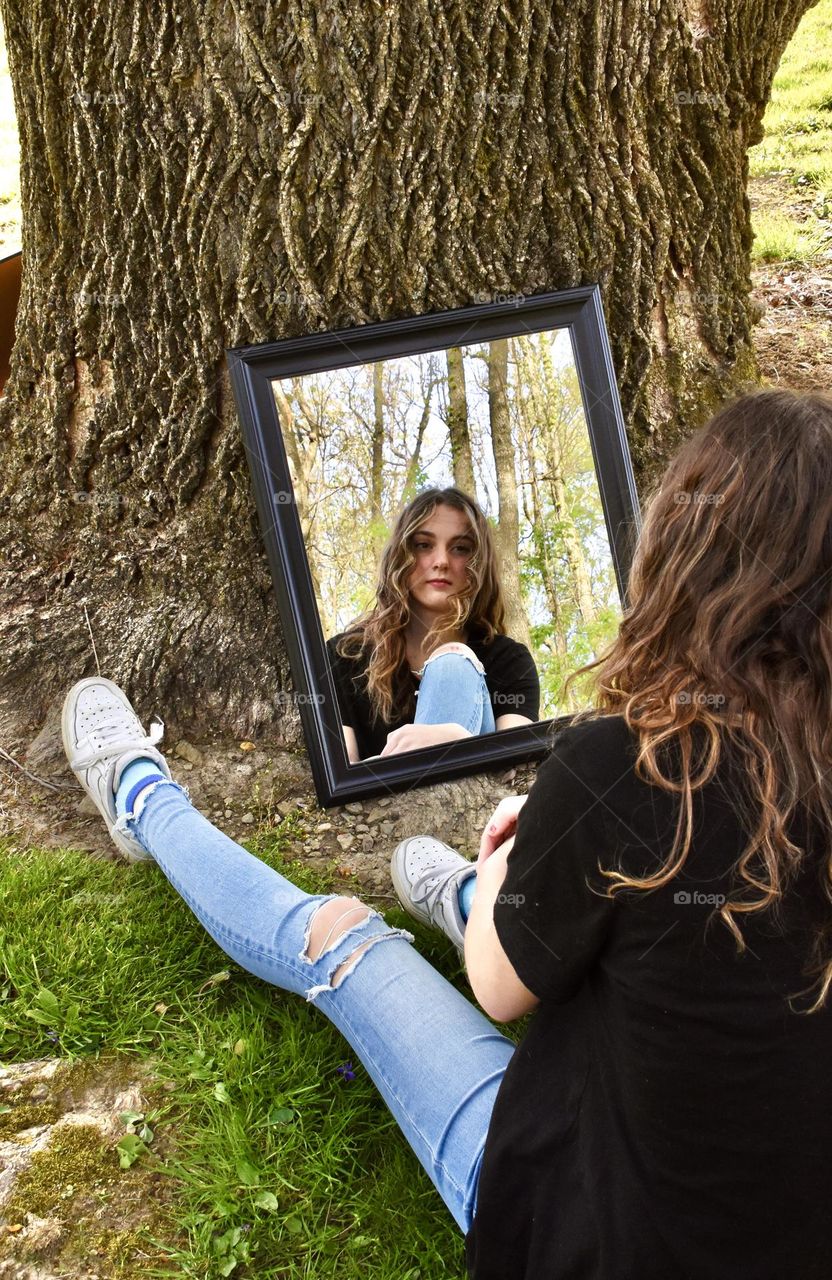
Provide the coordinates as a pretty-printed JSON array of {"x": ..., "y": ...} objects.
[{"x": 510, "y": 674}]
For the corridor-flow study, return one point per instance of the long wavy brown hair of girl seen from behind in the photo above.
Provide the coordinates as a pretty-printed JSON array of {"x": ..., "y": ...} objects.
[{"x": 729, "y": 628}]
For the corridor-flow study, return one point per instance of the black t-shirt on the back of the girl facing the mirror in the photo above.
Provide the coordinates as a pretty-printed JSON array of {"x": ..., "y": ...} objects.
[{"x": 666, "y": 1116}]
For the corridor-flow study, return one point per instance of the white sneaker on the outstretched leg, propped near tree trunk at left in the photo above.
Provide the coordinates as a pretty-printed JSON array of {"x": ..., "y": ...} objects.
[{"x": 102, "y": 737}]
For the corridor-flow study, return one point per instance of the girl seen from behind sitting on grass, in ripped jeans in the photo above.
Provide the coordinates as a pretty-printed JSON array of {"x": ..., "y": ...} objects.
[{"x": 661, "y": 900}]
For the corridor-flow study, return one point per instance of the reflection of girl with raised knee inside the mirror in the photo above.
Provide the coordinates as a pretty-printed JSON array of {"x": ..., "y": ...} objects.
[{"x": 431, "y": 661}]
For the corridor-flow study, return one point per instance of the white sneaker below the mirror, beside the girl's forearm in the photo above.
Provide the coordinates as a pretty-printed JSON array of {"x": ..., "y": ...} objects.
[{"x": 427, "y": 877}]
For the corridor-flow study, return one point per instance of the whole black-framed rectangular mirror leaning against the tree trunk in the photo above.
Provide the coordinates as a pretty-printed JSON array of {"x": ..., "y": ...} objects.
[{"x": 484, "y": 447}]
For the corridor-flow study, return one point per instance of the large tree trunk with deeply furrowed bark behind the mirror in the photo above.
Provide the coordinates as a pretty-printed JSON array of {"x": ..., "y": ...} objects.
[{"x": 198, "y": 176}]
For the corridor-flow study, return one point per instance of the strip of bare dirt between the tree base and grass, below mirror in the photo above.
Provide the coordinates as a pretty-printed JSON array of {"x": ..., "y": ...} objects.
[{"x": 248, "y": 790}]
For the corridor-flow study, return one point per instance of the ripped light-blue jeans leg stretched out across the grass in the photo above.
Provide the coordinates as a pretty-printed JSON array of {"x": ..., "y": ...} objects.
[{"x": 435, "y": 1058}]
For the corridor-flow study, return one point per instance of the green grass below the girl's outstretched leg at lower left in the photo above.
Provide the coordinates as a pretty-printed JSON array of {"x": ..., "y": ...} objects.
[{"x": 280, "y": 1165}]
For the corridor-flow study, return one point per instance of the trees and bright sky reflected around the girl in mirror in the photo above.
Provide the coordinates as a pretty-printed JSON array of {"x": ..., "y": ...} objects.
[{"x": 502, "y": 420}]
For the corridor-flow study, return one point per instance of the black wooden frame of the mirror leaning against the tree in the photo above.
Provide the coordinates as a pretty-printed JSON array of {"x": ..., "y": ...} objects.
[{"x": 253, "y": 372}]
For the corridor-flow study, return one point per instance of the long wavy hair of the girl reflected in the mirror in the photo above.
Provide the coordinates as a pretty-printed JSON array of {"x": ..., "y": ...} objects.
[{"x": 479, "y": 607}]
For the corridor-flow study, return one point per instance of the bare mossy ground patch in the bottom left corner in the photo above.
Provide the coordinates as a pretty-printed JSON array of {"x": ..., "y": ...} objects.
[{"x": 67, "y": 1206}]
